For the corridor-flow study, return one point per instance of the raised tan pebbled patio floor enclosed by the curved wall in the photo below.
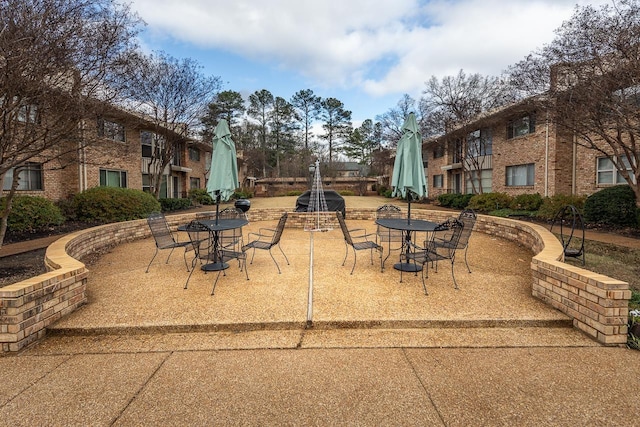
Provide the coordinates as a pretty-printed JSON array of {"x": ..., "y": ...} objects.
[{"x": 122, "y": 298}]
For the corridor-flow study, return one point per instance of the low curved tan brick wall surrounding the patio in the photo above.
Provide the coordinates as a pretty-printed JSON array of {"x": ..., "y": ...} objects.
[{"x": 597, "y": 304}]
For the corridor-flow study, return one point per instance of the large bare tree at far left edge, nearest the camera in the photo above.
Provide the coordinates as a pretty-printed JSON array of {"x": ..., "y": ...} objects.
[{"x": 60, "y": 62}]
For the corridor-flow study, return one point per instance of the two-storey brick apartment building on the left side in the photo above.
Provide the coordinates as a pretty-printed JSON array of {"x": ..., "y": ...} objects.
[{"x": 119, "y": 155}]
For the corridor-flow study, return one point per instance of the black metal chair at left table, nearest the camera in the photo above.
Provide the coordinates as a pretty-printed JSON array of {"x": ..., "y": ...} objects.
[{"x": 204, "y": 251}]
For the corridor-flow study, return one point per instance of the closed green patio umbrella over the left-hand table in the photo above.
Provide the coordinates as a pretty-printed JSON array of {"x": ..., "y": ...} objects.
[{"x": 223, "y": 175}]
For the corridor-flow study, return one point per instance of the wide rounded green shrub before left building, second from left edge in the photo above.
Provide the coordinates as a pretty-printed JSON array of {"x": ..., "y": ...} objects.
[{"x": 112, "y": 204}]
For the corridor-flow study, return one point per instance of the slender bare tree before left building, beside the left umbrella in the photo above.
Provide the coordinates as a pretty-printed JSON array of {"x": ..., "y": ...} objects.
[{"x": 175, "y": 95}]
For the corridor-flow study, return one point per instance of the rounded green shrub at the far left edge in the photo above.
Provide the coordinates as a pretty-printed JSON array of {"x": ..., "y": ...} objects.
[{"x": 31, "y": 214}]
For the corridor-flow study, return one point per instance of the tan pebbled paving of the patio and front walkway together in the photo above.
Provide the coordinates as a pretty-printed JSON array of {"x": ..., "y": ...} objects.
[{"x": 144, "y": 351}]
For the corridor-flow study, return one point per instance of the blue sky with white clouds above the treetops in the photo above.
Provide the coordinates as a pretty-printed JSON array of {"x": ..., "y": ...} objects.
[{"x": 366, "y": 53}]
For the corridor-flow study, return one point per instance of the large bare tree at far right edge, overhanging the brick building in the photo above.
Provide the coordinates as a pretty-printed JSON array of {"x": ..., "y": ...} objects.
[{"x": 589, "y": 76}]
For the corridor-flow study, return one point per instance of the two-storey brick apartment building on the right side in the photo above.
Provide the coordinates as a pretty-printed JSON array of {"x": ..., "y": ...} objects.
[{"x": 515, "y": 150}]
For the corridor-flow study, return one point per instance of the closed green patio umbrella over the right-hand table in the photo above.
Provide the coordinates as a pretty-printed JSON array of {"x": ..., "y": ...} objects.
[{"x": 408, "y": 180}]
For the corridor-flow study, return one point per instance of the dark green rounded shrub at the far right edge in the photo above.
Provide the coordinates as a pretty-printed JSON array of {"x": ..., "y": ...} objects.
[{"x": 613, "y": 206}]
